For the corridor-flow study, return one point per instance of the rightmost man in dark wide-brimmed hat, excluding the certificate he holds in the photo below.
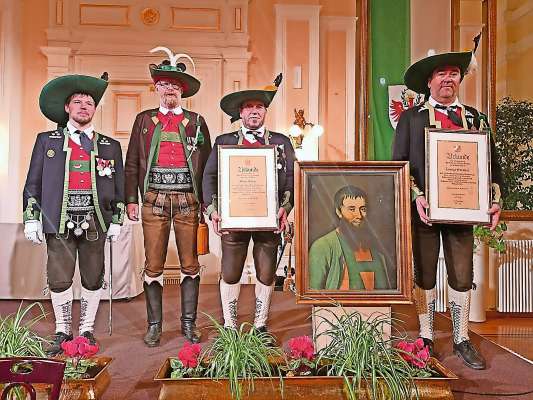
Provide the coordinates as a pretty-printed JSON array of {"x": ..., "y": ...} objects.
[{"x": 439, "y": 77}]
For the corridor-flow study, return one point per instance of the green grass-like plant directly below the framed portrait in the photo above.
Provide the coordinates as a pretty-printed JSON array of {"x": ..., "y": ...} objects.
[{"x": 367, "y": 362}]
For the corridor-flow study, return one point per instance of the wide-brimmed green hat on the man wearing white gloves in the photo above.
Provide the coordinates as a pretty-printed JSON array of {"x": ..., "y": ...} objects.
[{"x": 56, "y": 92}]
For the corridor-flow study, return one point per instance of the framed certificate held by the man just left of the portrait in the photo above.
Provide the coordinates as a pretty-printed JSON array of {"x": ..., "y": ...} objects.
[{"x": 247, "y": 188}]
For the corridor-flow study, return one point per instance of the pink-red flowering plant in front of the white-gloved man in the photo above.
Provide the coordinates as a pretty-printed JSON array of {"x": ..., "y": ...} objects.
[{"x": 78, "y": 352}]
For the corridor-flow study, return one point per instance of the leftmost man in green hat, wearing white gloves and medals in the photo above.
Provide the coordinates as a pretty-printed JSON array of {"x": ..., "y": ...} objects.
[{"x": 75, "y": 186}]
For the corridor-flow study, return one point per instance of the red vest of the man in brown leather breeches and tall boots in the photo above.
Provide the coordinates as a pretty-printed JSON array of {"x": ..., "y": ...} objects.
[{"x": 171, "y": 154}]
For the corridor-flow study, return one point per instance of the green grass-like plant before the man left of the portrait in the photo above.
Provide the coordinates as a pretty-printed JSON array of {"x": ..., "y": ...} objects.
[{"x": 240, "y": 355}]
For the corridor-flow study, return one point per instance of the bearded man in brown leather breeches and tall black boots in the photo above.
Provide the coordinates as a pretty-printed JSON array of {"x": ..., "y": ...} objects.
[{"x": 166, "y": 156}]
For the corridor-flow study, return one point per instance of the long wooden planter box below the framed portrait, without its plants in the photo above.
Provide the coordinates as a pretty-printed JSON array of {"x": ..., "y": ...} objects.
[{"x": 299, "y": 387}]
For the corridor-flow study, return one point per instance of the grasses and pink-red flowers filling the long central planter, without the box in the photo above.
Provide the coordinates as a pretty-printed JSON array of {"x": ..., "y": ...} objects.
[{"x": 357, "y": 352}]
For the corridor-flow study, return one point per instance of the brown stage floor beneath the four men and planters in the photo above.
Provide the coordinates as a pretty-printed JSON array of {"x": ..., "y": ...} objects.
[{"x": 135, "y": 365}]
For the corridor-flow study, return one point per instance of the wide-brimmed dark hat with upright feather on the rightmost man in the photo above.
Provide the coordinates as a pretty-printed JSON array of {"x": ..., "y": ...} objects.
[{"x": 417, "y": 75}]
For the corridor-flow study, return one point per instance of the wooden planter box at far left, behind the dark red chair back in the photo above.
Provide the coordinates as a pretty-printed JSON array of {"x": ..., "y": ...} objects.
[{"x": 83, "y": 389}]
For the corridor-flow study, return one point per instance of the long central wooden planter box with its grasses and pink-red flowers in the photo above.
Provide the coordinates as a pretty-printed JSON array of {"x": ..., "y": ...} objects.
[{"x": 358, "y": 363}]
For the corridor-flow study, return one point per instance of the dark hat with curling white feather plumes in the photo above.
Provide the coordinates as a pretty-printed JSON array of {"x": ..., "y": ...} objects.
[{"x": 172, "y": 70}]
